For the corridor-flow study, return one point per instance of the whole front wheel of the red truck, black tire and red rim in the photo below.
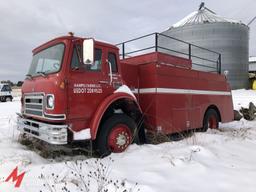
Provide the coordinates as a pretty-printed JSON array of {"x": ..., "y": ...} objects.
[{"x": 115, "y": 134}]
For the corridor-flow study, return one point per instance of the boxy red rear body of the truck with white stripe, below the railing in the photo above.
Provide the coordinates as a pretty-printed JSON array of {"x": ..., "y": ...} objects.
[{"x": 175, "y": 98}]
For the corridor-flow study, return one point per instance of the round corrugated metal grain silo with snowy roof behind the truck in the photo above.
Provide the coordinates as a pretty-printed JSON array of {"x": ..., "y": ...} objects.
[{"x": 209, "y": 30}]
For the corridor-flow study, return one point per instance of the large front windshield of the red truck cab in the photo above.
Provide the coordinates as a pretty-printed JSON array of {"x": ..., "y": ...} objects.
[{"x": 47, "y": 61}]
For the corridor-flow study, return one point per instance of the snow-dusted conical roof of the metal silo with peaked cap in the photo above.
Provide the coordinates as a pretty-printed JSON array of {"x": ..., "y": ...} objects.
[{"x": 201, "y": 16}]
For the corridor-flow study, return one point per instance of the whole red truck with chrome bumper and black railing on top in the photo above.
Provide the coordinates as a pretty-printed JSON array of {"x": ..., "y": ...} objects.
[{"x": 82, "y": 89}]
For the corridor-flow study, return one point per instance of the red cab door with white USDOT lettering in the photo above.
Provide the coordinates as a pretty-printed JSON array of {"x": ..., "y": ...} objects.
[{"x": 88, "y": 85}]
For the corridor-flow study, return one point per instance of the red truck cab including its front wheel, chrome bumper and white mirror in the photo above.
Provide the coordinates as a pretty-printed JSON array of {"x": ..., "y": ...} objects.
[{"x": 73, "y": 87}]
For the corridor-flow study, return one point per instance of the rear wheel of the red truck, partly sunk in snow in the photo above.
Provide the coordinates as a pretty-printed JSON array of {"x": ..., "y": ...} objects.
[{"x": 211, "y": 120}]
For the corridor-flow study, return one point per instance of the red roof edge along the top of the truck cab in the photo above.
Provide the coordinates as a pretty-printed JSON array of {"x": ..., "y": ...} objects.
[{"x": 58, "y": 39}]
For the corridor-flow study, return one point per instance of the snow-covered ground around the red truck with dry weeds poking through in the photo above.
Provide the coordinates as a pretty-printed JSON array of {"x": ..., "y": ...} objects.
[{"x": 215, "y": 161}]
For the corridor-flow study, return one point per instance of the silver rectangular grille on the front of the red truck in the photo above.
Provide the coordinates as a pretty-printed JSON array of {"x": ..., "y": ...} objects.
[{"x": 34, "y": 104}]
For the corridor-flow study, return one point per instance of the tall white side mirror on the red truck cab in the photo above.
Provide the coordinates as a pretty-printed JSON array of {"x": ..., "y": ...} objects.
[{"x": 88, "y": 51}]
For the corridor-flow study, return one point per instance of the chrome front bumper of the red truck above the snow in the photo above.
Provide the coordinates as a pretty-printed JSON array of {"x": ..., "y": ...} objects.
[{"x": 53, "y": 134}]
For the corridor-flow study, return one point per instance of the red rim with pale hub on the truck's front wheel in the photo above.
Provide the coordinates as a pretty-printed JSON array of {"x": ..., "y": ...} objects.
[{"x": 119, "y": 138}]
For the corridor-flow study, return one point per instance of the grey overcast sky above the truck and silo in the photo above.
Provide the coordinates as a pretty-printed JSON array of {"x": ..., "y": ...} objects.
[{"x": 25, "y": 24}]
